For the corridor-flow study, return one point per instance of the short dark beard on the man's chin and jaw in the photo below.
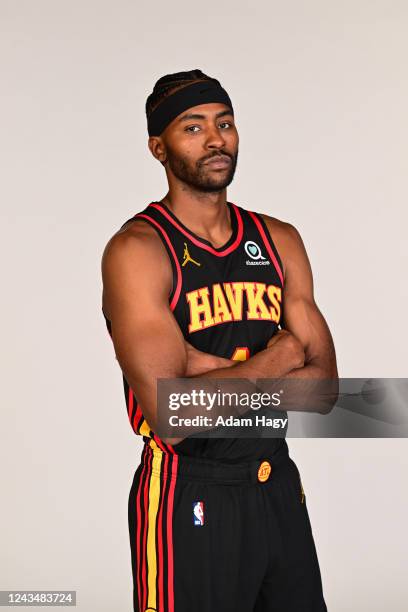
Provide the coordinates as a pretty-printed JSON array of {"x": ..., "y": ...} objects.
[{"x": 199, "y": 176}]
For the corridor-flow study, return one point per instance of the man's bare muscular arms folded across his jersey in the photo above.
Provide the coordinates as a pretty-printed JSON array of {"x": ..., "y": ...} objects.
[{"x": 148, "y": 343}]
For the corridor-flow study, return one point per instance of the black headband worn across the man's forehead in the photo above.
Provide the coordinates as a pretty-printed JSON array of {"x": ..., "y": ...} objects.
[{"x": 200, "y": 92}]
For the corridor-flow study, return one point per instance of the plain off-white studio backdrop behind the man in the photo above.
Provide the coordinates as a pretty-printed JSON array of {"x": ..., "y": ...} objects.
[{"x": 320, "y": 95}]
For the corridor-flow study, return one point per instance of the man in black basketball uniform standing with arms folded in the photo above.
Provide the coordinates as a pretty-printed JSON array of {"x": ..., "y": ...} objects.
[{"x": 216, "y": 524}]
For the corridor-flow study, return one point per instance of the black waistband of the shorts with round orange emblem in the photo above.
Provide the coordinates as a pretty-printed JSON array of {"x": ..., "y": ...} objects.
[{"x": 208, "y": 470}]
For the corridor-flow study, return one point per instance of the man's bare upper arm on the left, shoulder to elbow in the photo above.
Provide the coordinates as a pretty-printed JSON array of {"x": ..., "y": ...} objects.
[{"x": 147, "y": 340}]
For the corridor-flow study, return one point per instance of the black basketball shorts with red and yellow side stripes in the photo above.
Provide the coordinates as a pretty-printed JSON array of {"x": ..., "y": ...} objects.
[{"x": 217, "y": 537}]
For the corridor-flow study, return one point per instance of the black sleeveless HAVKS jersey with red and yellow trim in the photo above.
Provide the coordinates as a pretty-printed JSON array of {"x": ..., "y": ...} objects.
[{"x": 228, "y": 301}]
